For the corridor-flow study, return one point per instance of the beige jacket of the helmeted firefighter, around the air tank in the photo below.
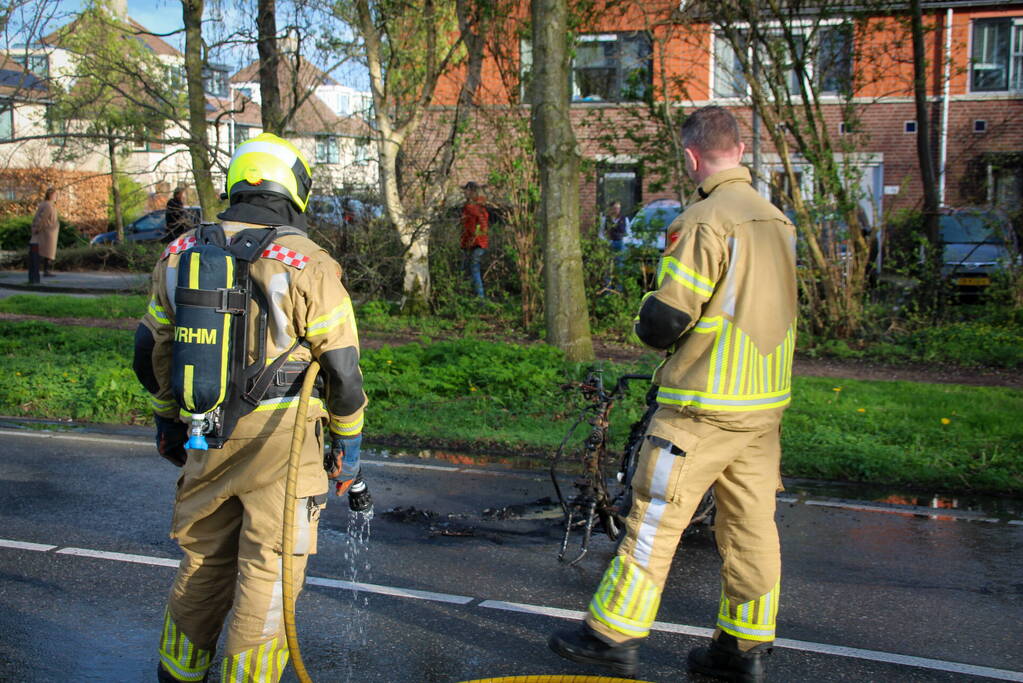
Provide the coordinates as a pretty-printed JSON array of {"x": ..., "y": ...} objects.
[{"x": 307, "y": 301}]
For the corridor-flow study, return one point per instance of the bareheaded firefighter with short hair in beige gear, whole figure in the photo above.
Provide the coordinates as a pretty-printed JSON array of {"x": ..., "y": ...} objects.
[{"x": 726, "y": 311}]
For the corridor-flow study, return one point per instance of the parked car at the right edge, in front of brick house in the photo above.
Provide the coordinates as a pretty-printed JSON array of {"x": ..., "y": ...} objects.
[{"x": 976, "y": 244}]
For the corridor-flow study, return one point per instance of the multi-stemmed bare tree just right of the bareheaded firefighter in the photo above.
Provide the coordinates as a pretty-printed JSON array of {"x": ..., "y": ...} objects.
[{"x": 804, "y": 62}]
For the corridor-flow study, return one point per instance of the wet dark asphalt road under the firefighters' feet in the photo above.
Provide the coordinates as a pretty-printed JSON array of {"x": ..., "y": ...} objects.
[{"x": 893, "y": 586}]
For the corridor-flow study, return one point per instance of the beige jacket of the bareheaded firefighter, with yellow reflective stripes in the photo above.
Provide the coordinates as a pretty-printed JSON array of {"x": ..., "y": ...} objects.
[{"x": 730, "y": 265}]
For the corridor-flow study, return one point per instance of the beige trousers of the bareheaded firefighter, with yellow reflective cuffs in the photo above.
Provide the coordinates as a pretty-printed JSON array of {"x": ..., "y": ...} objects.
[{"x": 681, "y": 459}]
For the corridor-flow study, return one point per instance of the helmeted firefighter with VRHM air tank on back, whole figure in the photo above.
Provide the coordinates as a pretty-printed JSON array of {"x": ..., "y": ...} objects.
[{"x": 231, "y": 497}]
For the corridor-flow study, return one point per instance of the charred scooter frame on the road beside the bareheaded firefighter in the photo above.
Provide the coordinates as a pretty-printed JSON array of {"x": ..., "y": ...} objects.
[{"x": 595, "y": 502}]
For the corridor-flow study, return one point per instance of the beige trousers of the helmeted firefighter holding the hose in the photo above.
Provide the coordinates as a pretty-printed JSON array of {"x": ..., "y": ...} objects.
[{"x": 229, "y": 521}]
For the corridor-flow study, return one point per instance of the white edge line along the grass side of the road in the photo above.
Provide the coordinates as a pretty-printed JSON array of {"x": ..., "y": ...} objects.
[{"x": 964, "y": 516}]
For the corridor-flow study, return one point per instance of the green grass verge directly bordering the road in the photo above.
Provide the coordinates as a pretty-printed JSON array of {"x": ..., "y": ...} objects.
[{"x": 478, "y": 394}]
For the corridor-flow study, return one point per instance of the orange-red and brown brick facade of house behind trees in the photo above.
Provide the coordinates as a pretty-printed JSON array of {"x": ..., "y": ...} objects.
[{"x": 884, "y": 104}]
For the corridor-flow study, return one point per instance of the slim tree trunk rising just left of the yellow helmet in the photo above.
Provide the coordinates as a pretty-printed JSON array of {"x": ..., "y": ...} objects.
[{"x": 209, "y": 199}]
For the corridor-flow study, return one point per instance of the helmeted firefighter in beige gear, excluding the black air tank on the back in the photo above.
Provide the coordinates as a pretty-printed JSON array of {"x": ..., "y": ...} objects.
[{"x": 230, "y": 502}]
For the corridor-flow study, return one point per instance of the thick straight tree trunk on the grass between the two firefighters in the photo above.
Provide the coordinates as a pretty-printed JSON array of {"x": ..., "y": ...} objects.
[{"x": 558, "y": 158}]
